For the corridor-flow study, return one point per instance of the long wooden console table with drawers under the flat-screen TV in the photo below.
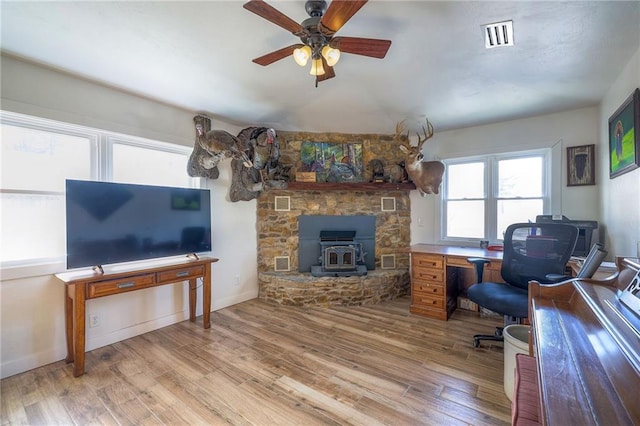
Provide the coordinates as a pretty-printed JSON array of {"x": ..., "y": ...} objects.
[{"x": 84, "y": 285}]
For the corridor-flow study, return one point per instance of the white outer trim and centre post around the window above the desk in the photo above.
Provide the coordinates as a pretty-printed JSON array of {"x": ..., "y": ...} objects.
[{"x": 550, "y": 197}]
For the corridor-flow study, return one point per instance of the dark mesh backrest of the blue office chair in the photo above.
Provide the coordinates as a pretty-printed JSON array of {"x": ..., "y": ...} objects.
[{"x": 534, "y": 250}]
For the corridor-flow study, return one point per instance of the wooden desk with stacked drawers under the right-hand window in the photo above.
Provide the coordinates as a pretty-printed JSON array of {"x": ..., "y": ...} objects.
[{"x": 440, "y": 273}]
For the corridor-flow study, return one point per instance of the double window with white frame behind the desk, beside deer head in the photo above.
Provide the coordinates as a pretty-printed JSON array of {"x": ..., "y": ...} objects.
[{"x": 483, "y": 195}]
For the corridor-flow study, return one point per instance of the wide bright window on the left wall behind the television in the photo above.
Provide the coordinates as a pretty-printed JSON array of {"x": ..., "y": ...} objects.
[{"x": 38, "y": 155}]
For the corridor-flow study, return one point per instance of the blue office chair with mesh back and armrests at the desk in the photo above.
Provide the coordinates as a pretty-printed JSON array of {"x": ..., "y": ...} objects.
[{"x": 531, "y": 252}]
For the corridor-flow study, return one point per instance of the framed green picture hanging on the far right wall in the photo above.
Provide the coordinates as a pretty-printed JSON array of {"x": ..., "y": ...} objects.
[{"x": 624, "y": 137}]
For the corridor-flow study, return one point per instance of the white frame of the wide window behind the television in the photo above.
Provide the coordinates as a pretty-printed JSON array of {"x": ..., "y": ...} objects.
[{"x": 101, "y": 166}]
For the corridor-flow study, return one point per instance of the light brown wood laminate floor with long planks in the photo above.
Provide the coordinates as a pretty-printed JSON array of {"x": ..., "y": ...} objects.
[{"x": 266, "y": 364}]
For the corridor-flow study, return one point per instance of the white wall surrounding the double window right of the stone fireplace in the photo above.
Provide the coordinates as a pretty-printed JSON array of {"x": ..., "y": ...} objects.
[{"x": 556, "y": 131}]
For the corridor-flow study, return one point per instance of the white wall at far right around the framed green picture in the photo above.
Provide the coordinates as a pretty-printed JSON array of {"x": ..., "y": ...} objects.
[{"x": 620, "y": 201}]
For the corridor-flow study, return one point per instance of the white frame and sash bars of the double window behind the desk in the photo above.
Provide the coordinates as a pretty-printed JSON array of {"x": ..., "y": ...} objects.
[{"x": 490, "y": 196}]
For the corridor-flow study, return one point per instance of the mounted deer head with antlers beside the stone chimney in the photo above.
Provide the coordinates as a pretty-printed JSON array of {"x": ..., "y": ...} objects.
[{"x": 426, "y": 175}]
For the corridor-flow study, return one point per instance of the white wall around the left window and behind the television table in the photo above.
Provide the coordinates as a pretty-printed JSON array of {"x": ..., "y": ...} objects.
[{"x": 31, "y": 299}]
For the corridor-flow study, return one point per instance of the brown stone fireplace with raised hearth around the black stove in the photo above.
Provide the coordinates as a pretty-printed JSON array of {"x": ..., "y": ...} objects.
[{"x": 284, "y": 273}]
